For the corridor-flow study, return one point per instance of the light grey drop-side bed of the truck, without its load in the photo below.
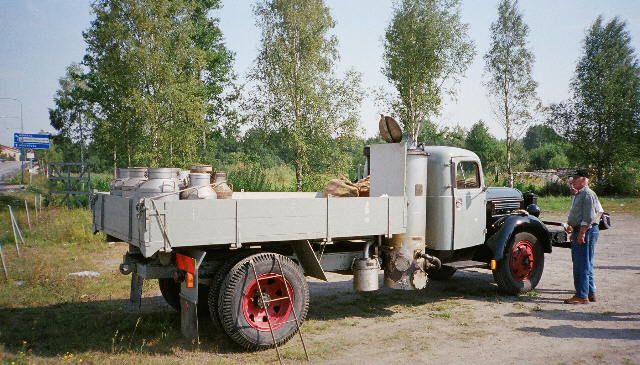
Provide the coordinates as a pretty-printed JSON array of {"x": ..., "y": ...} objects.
[{"x": 160, "y": 226}]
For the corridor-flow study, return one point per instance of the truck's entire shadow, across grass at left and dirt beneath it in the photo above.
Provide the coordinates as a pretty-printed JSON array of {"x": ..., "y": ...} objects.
[{"x": 112, "y": 327}]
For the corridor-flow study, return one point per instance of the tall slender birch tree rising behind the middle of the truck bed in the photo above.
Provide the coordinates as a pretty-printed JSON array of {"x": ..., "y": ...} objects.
[{"x": 297, "y": 96}]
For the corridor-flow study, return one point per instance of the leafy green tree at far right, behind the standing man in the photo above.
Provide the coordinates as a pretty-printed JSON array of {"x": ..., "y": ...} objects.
[{"x": 602, "y": 120}]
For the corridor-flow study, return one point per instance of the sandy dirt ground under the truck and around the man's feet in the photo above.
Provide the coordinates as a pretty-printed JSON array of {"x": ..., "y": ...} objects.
[{"x": 465, "y": 320}]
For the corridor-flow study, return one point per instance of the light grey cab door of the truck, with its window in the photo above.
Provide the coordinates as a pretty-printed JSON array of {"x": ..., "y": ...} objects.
[{"x": 469, "y": 217}]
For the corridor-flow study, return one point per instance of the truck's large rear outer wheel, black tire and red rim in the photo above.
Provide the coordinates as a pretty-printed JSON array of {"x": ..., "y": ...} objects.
[{"x": 239, "y": 306}]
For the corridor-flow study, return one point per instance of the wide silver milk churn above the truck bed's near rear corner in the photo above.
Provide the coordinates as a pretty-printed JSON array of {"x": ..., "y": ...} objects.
[{"x": 163, "y": 183}]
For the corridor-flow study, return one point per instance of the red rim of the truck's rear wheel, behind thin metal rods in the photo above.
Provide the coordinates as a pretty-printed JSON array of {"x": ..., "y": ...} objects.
[{"x": 273, "y": 301}]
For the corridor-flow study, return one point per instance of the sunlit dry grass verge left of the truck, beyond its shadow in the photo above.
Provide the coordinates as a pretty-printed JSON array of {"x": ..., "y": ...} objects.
[{"x": 60, "y": 242}]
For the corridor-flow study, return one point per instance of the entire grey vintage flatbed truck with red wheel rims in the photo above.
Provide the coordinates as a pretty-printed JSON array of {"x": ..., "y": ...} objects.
[{"x": 245, "y": 259}]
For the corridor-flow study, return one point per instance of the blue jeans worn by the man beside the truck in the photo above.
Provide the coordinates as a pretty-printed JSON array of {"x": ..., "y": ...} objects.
[{"x": 582, "y": 257}]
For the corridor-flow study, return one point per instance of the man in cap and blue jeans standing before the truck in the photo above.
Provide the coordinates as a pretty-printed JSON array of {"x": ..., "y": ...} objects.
[{"x": 583, "y": 227}]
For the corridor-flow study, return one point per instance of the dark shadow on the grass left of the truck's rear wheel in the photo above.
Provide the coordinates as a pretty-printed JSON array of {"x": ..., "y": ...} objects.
[{"x": 108, "y": 327}]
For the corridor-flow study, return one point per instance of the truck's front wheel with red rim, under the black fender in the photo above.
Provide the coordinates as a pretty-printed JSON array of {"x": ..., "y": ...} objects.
[{"x": 521, "y": 267}]
